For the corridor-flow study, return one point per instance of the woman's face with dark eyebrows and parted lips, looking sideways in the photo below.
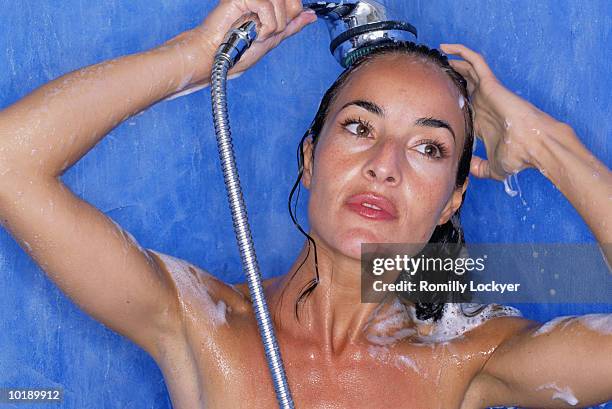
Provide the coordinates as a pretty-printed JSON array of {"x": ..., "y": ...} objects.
[{"x": 395, "y": 130}]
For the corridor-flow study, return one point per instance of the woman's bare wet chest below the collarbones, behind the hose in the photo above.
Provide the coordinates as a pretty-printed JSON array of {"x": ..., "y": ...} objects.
[{"x": 224, "y": 370}]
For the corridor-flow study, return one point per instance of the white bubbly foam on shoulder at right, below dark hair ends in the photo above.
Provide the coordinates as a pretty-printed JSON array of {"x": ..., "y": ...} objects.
[{"x": 459, "y": 318}]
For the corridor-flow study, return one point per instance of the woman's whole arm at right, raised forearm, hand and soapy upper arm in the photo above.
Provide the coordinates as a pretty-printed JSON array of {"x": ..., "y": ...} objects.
[{"x": 566, "y": 361}]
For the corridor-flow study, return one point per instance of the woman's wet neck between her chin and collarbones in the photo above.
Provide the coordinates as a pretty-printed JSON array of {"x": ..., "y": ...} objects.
[{"x": 332, "y": 315}]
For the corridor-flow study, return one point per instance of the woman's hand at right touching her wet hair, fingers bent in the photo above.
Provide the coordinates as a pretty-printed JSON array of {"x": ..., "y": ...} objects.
[{"x": 508, "y": 124}]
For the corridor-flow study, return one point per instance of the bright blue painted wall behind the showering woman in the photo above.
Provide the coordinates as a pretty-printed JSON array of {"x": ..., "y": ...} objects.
[{"x": 157, "y": 174}]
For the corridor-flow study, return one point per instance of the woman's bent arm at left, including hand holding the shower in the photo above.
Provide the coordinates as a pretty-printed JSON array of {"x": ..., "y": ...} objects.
[{"x": 95, "y": 262}]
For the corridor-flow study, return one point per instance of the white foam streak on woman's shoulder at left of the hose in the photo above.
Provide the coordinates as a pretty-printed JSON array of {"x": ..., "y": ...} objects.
[{"x": 189, "y": 281}]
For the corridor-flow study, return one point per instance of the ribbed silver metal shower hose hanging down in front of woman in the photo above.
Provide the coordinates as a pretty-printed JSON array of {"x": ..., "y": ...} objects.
[{"x": 237, "y": 41}]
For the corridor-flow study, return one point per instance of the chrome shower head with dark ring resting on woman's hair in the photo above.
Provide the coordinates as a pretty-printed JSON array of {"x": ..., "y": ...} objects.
[{"x": 357, "y": 26}]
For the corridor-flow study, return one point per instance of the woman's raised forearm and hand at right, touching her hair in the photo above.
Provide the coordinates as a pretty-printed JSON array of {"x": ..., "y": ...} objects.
[{"x": 517, "y": 135}]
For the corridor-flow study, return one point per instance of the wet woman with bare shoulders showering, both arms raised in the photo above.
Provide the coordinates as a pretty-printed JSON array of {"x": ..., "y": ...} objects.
[{"x": 393, "y": 139}]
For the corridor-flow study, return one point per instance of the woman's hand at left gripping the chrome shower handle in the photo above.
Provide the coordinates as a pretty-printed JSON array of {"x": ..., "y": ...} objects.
[{"x": 278, "y": 19}]
